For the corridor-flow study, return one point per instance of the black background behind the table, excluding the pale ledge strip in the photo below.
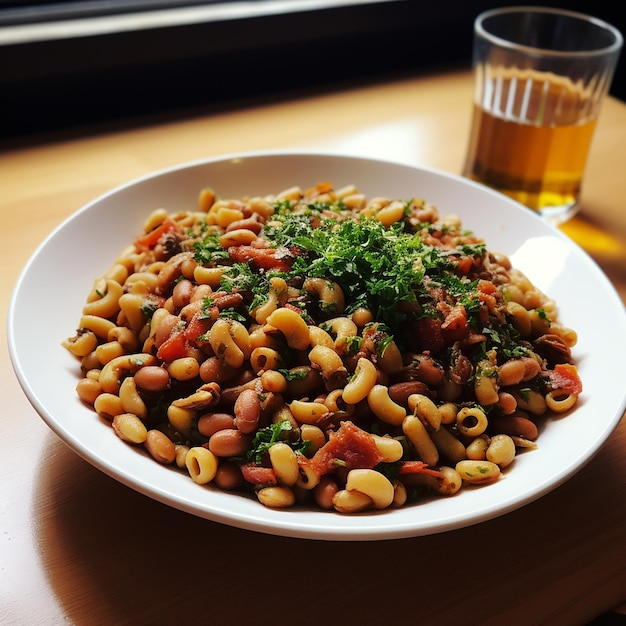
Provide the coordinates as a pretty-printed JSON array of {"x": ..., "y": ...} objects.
[{"x": 119, "y": 78}]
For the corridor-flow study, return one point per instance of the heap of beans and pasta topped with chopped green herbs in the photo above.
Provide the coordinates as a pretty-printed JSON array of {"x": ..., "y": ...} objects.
[{"x": 320, "y": 347}]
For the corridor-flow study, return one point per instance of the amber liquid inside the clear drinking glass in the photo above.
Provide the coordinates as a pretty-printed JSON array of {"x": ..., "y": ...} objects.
[{"x": 536, "y": 158}]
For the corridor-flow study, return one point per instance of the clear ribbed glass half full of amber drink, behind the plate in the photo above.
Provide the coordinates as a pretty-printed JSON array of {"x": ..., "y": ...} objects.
[{"x": 541, "y": 75}]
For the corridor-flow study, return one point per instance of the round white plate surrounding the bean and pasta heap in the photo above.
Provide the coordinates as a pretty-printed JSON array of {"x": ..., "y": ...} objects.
[{"x": 51, "y": 291}]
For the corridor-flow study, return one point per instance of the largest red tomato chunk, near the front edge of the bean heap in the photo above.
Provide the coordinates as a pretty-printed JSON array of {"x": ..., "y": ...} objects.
[{"x": 349, "y": 444}]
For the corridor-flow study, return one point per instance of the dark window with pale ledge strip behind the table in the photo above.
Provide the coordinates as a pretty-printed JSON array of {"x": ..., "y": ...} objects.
[{"x": 64, "y": 64}]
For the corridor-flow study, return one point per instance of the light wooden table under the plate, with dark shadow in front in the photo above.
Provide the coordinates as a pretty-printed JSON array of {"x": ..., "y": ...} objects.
[{"x": 77, "y": 547}]
